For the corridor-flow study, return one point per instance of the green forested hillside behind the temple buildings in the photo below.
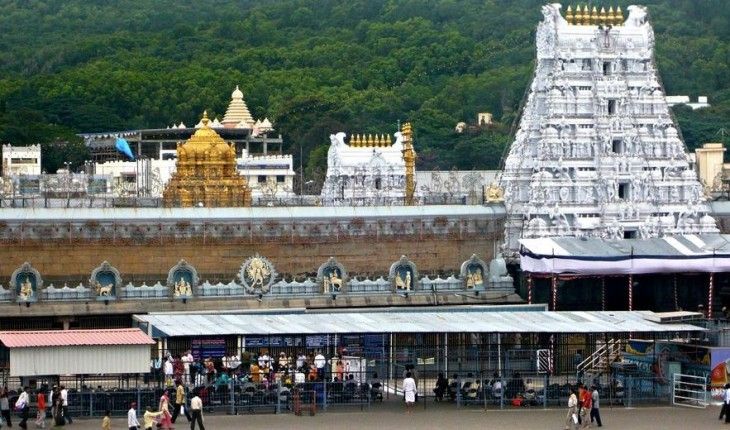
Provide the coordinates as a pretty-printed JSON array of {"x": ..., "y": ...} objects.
[{"x": 315, "y": 67}]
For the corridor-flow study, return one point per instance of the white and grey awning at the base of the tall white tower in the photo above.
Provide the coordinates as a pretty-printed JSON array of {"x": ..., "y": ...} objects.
[{"x": 590, "y": 256}]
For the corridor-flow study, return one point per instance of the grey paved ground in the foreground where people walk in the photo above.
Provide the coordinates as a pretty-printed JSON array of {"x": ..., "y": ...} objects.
[{"x": 389, "y": 416}]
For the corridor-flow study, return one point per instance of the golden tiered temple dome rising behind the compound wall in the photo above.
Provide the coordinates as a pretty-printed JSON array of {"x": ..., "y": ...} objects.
[{"x": 206, "y": 173}]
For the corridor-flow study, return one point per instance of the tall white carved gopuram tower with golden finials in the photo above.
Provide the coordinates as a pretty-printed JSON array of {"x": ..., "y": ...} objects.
[{"x": 597, "y": 153}]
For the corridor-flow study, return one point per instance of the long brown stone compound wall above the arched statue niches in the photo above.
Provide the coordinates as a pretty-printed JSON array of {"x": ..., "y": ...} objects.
[{"x": 66, "y": 244}]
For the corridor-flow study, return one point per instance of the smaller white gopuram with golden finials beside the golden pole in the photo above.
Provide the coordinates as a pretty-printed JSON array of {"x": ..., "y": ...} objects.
[{"x": 368, "y": 170}]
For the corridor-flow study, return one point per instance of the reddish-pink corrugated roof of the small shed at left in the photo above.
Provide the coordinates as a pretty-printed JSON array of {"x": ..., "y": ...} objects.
[{"x": 30, "y": 339}]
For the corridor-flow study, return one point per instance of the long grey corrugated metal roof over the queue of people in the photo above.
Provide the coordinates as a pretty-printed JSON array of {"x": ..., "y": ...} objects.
[{"x": 394, "y": 321}]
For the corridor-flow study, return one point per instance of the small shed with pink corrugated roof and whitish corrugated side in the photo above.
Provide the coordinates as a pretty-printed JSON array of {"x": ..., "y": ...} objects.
[{"x": 77, "y": 352}]
